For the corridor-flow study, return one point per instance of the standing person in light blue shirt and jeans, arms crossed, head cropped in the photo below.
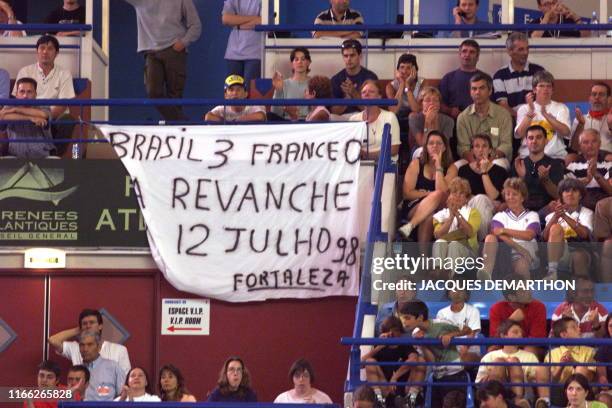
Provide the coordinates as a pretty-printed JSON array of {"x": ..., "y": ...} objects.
[{"x": 243, "y": 52}]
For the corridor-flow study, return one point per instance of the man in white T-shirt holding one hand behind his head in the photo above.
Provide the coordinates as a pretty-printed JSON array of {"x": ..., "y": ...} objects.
[{"x": 89, "y": 320}]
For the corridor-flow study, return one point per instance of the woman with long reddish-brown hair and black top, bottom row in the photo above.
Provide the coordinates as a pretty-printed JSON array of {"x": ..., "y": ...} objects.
[{"x": 234, "y": 384}]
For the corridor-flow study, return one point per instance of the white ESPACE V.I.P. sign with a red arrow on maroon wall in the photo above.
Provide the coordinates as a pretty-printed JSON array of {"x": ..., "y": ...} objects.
[{"x": 186, "y": 317}]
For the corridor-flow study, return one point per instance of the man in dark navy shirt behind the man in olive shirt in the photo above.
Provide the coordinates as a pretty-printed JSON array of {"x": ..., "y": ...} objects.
[{"x": 455, "y": 85}]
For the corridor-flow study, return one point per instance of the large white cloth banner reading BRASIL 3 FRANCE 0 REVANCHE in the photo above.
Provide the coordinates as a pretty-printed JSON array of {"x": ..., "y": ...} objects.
[{"x": 254, "y": 212}]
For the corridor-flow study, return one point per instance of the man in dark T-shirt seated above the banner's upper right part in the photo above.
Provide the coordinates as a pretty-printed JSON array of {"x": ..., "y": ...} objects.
[{"x": 347, "y": 83}]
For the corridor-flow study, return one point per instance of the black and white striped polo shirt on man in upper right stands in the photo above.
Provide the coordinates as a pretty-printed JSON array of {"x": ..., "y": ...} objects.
[{"x": 512, "y": 86}]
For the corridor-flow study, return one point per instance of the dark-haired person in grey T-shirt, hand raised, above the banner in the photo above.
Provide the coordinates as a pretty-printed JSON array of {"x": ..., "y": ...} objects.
[{"x": 294, "y": 87}]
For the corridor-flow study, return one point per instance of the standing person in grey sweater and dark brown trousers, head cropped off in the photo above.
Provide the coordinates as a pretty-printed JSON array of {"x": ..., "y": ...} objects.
[{"x": 166, "y": 29}]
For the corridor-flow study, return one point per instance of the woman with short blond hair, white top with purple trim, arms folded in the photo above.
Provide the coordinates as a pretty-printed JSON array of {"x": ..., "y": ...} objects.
[{"x": 517, "y": 229}]
